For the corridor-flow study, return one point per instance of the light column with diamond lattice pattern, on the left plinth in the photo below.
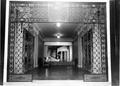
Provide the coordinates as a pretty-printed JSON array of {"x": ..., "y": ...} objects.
[{"x": 18, "y": 53}]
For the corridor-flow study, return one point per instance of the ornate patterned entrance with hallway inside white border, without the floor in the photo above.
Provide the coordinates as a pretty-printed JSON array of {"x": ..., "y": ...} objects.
[{"x": 69, "y": 33}]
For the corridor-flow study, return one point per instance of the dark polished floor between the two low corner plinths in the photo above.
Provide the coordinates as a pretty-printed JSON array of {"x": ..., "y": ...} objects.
[{"x": 58, "y": 73}]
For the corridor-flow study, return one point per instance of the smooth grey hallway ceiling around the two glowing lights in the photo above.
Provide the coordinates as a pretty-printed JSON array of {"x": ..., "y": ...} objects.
[{"x": 50, "y": 29}]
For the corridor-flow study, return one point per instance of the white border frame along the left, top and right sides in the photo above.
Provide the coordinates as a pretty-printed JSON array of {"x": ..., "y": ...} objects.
[{"x": 108, "y": 32}]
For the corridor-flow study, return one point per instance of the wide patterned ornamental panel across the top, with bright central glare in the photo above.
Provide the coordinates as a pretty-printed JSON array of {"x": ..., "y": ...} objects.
[{"x": 57, "y": 12}]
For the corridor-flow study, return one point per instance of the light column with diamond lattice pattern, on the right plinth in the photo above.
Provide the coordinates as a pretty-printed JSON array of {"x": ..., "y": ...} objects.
[{"x": 96, "y": 64}]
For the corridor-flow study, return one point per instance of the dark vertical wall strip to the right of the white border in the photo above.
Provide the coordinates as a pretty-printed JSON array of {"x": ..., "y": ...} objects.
[{"x": 114, "y": 29}]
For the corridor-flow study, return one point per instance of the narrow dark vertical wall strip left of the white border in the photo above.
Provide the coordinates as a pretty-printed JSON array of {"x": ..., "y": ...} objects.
[{"x": 2, "y": 36}]
